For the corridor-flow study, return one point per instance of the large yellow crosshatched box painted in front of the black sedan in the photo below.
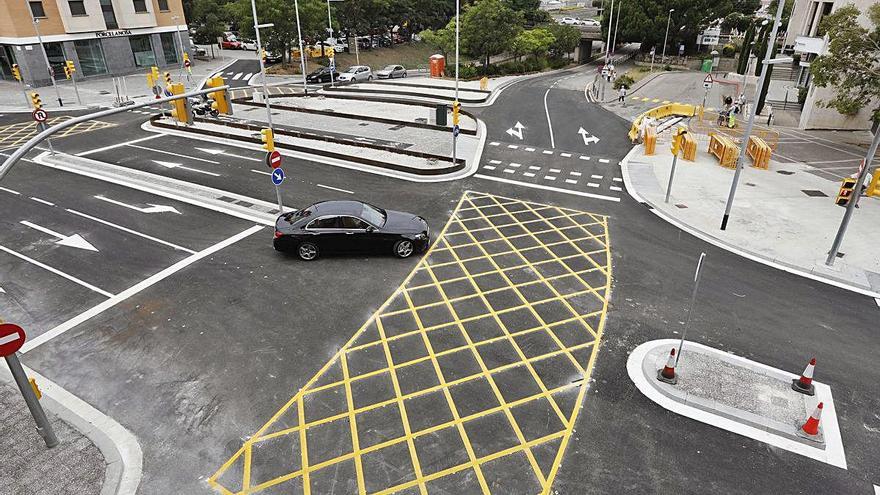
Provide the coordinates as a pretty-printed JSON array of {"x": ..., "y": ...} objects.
[{"x": 468, "y": 379}]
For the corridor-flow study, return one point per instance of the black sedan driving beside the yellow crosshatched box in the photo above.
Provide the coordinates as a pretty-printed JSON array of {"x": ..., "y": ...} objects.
[{"x": 350, "y": 227}]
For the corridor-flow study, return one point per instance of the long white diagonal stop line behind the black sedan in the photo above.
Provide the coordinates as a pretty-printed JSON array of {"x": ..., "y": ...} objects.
[{"x": 135, "y": 289}]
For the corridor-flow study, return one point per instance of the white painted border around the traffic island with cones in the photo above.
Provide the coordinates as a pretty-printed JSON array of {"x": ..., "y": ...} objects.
[{"x": 833, "y": 452}]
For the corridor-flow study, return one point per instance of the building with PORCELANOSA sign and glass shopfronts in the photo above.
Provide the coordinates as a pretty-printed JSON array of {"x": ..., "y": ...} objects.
[{"x": 101, "y": 37}]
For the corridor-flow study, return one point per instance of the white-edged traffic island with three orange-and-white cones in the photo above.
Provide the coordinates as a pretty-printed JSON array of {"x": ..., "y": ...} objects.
[{"x": 740, "y": 396}]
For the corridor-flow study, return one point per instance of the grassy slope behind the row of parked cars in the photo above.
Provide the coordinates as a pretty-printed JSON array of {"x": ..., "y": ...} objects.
[{"x": 409, "y": 55}]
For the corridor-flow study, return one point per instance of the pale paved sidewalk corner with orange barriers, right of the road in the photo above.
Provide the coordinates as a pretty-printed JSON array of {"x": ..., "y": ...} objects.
[{"x": 784, "y": 217}]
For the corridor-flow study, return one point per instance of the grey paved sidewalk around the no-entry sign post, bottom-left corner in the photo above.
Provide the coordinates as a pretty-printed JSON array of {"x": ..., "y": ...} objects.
[{"x": 76, "y": 465}]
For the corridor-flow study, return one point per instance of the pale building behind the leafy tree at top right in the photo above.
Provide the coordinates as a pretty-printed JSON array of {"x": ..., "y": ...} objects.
[{"x": 805, "y": 37}]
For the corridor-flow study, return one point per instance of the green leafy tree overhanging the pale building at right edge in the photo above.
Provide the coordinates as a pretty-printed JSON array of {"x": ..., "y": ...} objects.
[{"x": 852, "y": 63}]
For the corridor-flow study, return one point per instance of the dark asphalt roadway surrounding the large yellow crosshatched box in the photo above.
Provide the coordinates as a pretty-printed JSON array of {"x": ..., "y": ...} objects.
[{"x": 198, "y": 361}]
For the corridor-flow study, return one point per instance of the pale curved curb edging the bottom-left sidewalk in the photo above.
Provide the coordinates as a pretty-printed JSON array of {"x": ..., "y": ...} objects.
[{"x": 120, "y": 447}]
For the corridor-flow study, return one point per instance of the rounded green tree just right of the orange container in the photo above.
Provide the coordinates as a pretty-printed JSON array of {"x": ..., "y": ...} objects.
[{"x": 488, "y": 27}]
